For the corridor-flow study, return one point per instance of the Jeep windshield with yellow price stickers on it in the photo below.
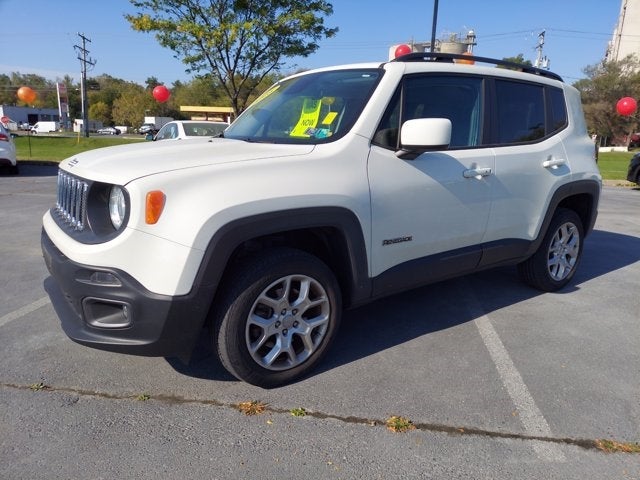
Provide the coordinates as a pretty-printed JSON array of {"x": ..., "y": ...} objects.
[{"x": 315, "y": 108}]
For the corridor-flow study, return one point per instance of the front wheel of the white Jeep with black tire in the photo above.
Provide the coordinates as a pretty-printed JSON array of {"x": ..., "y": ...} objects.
[{"x": 266, "y": 337}]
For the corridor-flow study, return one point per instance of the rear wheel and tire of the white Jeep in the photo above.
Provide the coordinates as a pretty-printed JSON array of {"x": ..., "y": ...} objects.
[{"x": 555, "y": 262}]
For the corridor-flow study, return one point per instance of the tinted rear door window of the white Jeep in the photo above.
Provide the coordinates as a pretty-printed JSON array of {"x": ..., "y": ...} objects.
[{"x": 520, "y": 110}]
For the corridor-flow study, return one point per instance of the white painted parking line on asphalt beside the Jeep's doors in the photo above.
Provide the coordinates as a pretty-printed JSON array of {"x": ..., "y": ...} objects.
[{"x": 530, "y": 415}]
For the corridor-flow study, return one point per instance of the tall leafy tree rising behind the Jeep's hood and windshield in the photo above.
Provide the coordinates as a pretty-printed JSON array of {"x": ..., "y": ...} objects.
[{"x": 238, "y": 42}]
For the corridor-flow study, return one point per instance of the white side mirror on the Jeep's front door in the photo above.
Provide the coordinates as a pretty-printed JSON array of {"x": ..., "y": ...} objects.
[{"x": 423, "y": 135}]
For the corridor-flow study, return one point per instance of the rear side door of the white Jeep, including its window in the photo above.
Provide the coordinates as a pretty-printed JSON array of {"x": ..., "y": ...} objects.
[{"x": 530, "y": 158}]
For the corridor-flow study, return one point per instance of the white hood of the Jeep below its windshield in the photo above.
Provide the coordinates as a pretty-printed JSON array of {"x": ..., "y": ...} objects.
[{"x": 124, "y": 163}]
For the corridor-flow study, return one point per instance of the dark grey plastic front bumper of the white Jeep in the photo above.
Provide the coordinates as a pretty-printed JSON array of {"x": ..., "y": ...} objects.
[{"x": 109, "y": 310}]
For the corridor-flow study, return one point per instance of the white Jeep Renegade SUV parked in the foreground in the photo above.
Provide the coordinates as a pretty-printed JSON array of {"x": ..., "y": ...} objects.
[{"x": 336, "y": 187}]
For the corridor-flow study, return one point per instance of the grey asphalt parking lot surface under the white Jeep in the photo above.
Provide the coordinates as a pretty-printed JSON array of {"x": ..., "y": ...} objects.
[{"x": 499, "y": 380}]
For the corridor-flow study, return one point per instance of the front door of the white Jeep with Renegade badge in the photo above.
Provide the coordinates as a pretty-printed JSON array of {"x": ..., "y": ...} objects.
[{"x": 436, "y": 206}]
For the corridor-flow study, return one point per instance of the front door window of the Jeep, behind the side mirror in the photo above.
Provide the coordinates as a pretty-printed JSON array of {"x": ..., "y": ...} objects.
[{"x": 458, "y": 98}]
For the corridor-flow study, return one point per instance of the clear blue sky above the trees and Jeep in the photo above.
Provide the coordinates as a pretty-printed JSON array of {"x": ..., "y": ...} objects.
[{"x": 38, "y": 36}]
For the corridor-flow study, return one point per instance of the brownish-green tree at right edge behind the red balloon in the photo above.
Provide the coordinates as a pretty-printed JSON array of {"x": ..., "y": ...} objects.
[{"x": 606, "y": 83}]
